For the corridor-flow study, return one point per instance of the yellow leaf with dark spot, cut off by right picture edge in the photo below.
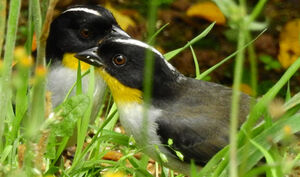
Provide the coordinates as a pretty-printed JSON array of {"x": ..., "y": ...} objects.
[{"x": 289, "y": 43}]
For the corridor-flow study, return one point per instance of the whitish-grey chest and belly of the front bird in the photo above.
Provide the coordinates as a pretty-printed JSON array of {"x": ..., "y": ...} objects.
[{"x": 136, "y": 124}]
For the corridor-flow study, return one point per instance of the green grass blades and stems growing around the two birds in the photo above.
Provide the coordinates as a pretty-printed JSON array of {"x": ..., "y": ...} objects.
[{"x": 32, "y": 145}]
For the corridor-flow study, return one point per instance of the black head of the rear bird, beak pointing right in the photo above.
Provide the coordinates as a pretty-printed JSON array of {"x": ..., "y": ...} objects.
[{"x": 78, "y": 28}]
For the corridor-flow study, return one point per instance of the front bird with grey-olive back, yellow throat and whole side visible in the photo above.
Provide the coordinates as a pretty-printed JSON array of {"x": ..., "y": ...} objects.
[{"x": 194, "y": 114}]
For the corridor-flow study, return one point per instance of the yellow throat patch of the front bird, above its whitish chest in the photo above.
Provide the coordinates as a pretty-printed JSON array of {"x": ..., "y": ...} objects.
[{"x": 121, "y": 93}]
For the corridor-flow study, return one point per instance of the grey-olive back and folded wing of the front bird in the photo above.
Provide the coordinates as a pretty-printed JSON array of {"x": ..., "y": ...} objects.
[{"x": 200, "y": 124}]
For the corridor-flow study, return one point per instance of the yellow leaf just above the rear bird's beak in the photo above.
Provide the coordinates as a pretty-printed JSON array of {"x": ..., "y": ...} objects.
[{"x": 124, "y": 21}]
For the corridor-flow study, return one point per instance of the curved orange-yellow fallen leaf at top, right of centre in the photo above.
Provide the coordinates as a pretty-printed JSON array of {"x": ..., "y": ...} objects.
[{"x": 207, "y": 10}]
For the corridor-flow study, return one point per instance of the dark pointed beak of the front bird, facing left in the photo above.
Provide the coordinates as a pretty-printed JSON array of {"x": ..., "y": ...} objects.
[{"x": 90, "y": 56}]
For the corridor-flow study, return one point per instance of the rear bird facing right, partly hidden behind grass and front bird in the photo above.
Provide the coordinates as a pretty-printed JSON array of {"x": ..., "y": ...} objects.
[{"x": 78, "y": 28}]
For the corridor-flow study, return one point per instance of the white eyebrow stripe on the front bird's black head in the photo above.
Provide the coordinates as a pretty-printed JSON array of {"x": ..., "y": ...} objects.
[{"x": 142, "y": 44}]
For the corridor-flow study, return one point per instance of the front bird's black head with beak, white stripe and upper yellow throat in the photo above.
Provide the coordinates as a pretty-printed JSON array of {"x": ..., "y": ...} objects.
[{"x": 122, "y": 60}]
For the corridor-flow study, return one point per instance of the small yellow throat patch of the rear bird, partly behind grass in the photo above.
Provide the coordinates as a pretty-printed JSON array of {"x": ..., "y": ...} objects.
[{"x": 70, "y": 61}]
